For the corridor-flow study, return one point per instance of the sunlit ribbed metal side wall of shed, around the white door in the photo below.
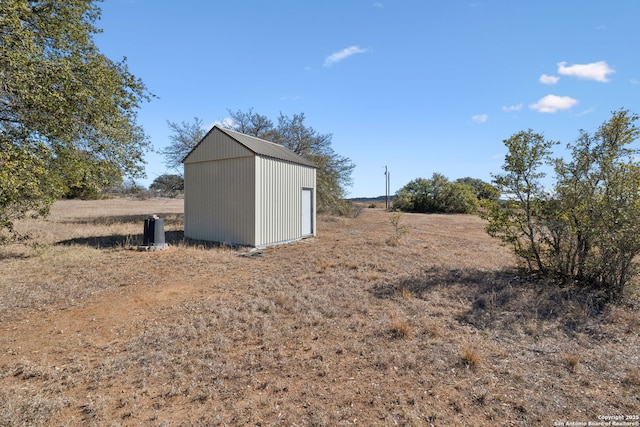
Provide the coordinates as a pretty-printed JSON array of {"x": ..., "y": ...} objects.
[{"x": 279, "y": 199}]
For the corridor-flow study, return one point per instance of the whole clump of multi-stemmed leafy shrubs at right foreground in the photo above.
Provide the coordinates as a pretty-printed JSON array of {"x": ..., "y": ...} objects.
[{"x": 587, "y": 231}]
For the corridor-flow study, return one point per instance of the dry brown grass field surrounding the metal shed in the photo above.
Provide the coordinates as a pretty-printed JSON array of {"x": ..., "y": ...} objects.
[{"x": 425, "y": 322}]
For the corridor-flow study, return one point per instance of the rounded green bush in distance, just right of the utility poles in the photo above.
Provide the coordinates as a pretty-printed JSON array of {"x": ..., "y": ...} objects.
[{"x": 436, "y": 195}]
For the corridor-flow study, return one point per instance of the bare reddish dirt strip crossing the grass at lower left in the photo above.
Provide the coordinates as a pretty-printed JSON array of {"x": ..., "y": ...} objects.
[{"x": 105, "y": 319}]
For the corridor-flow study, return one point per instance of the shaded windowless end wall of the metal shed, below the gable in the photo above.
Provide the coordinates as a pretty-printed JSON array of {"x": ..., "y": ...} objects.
[{"x": 220, "y": 200}]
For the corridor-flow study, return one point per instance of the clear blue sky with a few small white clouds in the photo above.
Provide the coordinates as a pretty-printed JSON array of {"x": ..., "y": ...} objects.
[{"x": 419, "y": 86}]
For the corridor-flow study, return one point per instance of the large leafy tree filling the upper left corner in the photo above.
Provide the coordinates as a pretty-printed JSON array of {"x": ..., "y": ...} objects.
[{"x": 60, "y": 96}]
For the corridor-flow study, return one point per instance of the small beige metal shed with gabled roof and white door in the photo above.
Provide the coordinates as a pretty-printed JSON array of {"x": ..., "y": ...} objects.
[{"x": 242, "y": 190}]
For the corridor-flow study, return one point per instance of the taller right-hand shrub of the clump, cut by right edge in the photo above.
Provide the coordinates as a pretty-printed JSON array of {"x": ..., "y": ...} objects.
[{"x": 598, "y": 209}]
